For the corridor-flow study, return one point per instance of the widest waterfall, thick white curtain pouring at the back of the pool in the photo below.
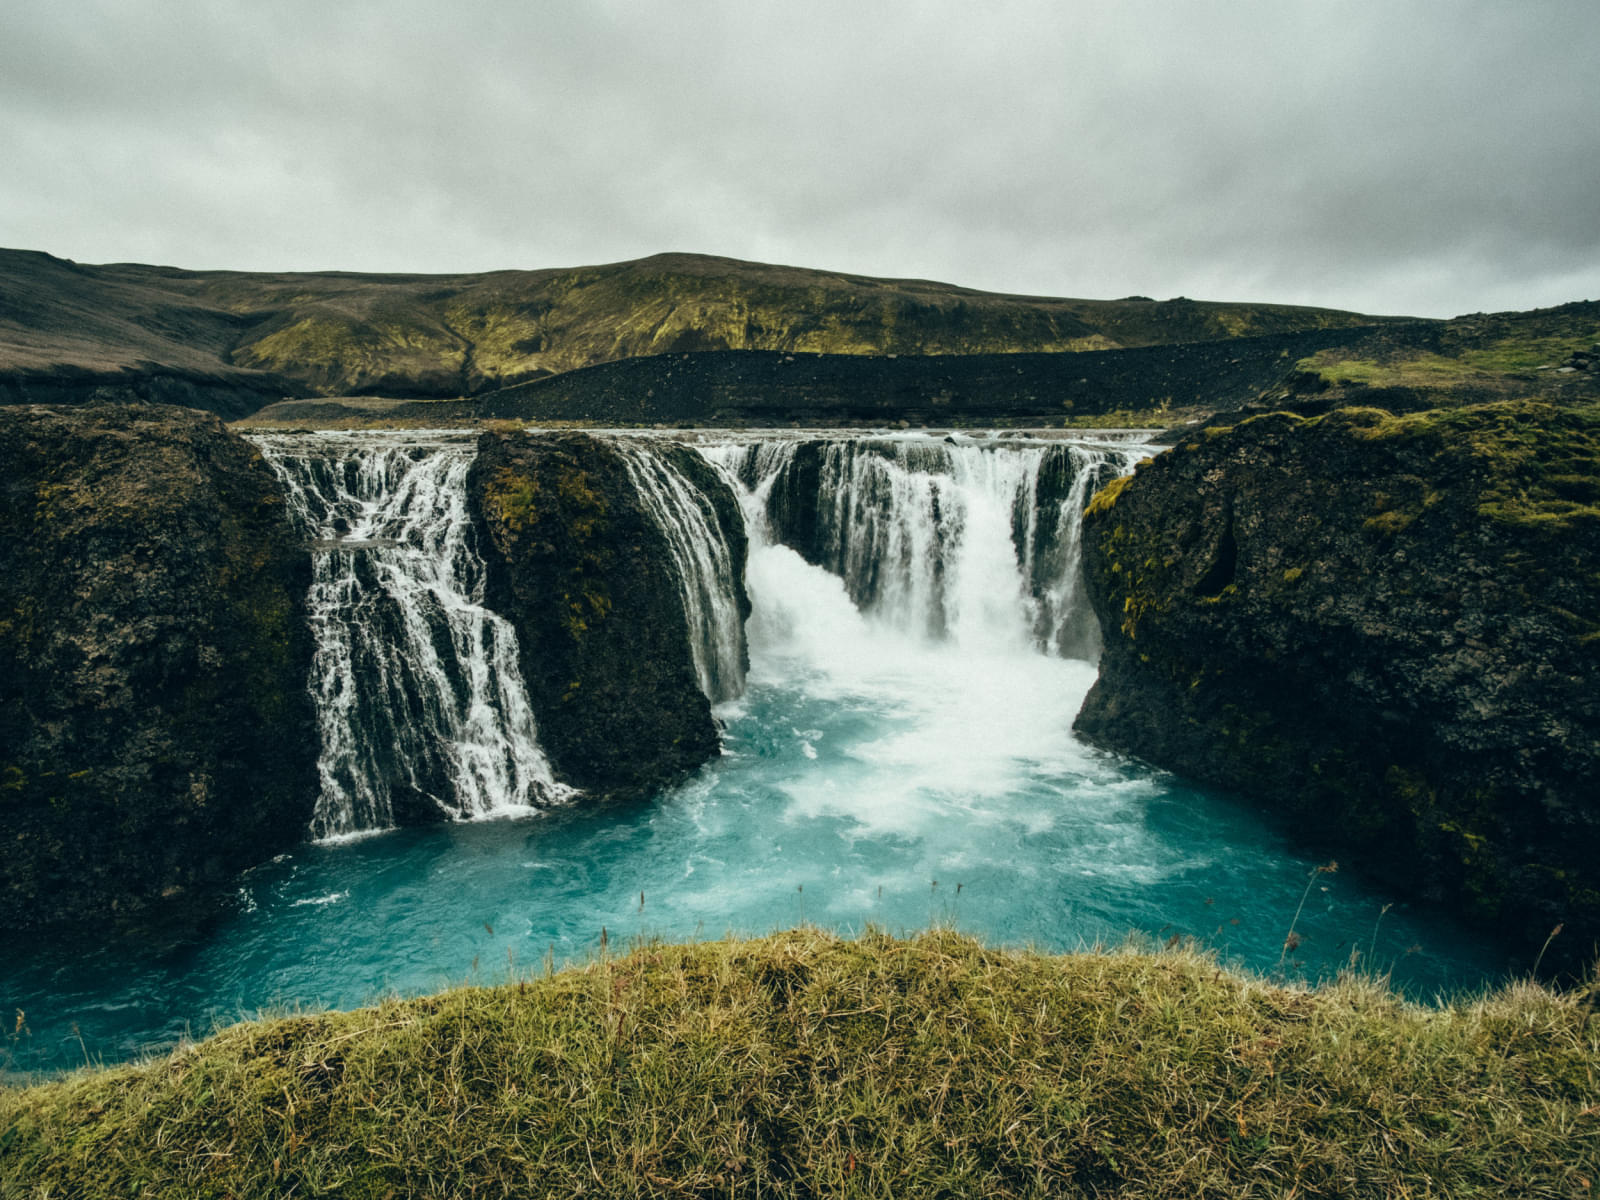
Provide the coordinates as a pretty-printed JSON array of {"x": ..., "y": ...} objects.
[{"x": 977, "y": 542}]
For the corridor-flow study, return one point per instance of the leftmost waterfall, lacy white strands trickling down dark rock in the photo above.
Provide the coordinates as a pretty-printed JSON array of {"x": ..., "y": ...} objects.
[{"x": 418, "y": 692}]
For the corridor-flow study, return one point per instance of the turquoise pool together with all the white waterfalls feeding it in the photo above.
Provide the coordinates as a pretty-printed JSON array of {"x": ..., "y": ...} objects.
[{"x": 871, "y": 774}]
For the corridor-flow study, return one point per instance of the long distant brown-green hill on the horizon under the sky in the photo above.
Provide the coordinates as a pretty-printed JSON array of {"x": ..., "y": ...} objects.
[{"x": 66, "y": 327}]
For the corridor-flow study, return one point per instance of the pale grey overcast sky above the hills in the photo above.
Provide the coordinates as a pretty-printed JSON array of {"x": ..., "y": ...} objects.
[{"x": 1391, "y": 156}]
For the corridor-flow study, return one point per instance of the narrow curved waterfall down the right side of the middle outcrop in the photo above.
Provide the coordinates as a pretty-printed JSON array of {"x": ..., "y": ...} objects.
[{"x": 702, "y": 561}]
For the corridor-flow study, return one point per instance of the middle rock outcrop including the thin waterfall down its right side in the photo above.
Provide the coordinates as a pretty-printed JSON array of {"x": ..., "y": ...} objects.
[{"x": 622, "y": 567}]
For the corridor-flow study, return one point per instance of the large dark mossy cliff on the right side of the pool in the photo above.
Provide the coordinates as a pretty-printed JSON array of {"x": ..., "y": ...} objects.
[{"x": 1388, "y": 628}]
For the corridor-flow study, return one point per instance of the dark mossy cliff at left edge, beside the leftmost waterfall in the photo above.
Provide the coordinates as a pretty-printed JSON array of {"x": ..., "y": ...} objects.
[{"x": 156, "y": 732}]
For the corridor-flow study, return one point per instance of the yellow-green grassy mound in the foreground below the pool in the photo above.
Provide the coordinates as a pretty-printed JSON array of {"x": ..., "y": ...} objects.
[{"x": 802, "y": 1065}]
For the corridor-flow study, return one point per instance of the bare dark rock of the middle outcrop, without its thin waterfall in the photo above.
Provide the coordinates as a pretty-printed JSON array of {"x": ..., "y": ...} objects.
[{"x": 585, "y": 575}]
